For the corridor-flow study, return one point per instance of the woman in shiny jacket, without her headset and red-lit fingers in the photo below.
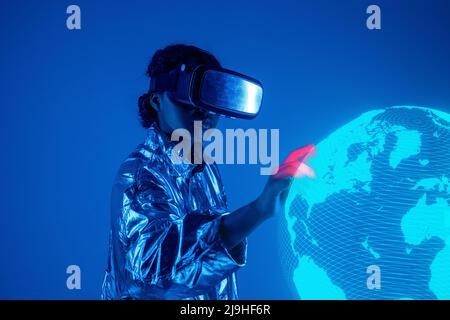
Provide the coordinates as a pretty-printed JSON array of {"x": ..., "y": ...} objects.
[{"x": 172, "y": 236}]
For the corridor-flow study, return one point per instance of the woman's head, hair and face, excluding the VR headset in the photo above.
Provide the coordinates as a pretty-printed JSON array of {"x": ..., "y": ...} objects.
[{"x": 158, "y": 106}]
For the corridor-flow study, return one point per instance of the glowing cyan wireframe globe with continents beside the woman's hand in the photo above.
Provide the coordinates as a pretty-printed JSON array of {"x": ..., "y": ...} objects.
[{"x": 375, "y": 222}]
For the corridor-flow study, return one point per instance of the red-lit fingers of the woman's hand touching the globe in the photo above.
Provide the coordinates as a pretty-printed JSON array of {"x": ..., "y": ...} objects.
[{"x": 295, "y": 164}]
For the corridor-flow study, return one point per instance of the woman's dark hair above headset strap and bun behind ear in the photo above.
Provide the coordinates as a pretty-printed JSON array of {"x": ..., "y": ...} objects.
[{"x": 165, "y": 60}]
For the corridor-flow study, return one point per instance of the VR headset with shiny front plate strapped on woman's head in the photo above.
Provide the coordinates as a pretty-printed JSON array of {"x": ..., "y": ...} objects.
[{"x": 215, "y": 90}]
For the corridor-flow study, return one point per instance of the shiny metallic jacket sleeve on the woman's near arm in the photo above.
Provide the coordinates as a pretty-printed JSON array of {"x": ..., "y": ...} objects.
[{"x": 171, "y": 254}]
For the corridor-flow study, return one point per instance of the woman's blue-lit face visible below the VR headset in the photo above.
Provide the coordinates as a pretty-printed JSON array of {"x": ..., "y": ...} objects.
[{"x": 174, "y": 115}]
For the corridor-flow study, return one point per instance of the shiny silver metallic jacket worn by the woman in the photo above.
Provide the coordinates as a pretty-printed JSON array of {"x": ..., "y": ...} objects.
[{"x": 165, "y": 241}]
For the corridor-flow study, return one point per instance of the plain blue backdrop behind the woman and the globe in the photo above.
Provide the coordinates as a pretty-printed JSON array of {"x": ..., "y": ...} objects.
[{"x": 68, "y": 110}]
